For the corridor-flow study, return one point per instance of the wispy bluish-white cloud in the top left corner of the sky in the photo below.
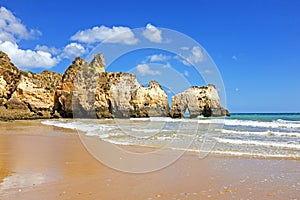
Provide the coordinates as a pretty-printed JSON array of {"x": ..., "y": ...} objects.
[{"x": 11, "y": 28}]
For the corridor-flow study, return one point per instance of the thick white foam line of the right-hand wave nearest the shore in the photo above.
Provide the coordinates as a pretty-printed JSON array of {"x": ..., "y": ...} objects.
[{"x": 258, "y": 143}]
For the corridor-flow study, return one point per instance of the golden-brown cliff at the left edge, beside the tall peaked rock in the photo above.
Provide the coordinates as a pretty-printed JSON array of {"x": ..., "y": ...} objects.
[{"x": 25, "y": 95}]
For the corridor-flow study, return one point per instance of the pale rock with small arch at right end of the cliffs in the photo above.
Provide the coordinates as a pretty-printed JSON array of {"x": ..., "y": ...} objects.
[{"x": 199, "y": 101}]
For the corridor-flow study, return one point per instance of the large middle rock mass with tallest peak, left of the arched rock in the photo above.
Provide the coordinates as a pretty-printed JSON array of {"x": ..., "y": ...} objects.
[{"x": 87, "y": 91}]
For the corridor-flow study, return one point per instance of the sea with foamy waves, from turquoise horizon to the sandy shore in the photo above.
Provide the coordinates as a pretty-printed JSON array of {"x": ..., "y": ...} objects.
[{"x": 259, "y": 135}]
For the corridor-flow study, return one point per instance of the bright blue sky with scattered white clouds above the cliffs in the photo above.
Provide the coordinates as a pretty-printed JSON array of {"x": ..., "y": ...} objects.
[{"x": 252, "y": 47}]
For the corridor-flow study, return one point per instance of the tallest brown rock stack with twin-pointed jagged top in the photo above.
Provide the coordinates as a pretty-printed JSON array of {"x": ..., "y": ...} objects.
[{"x": 75, "y": 95}]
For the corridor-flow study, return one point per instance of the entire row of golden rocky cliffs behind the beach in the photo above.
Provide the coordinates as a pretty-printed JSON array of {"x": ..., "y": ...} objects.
[{"x": 85, "y": 90}]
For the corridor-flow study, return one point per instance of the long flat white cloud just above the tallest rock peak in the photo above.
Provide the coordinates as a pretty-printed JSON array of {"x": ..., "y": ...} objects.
[{"x": 116, "y": 34}]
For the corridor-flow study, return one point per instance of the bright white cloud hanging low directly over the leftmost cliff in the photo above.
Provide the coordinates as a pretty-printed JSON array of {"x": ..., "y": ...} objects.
[{"x": 28, "y": 59}]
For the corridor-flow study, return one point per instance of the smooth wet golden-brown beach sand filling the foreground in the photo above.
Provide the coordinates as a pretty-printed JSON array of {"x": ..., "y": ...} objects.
[{"x": 45, "y": 162}]
